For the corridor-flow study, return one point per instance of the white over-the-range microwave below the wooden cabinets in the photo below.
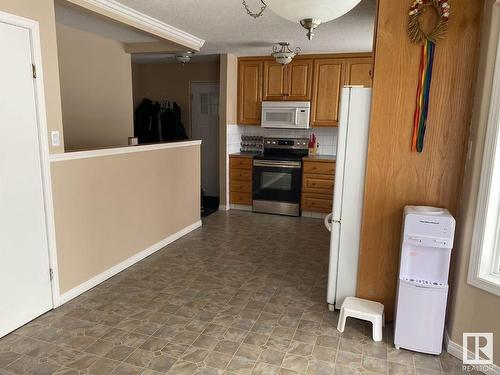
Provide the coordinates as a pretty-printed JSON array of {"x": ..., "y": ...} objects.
[{"x": 286, "y": 115}]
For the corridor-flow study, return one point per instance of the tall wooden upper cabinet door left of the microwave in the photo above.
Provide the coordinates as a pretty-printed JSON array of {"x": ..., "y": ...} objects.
[{"x": 249, "y": 92}]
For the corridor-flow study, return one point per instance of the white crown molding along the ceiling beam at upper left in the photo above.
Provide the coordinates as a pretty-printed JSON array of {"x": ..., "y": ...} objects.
[{"x": 131, "y": 17}]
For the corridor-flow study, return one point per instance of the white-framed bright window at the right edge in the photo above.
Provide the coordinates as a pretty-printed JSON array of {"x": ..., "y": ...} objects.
[{"x": 484, "y": 266}]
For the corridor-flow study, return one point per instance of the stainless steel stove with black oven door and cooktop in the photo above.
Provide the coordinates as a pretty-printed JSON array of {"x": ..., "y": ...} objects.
[{"x": 277, "y": 177}]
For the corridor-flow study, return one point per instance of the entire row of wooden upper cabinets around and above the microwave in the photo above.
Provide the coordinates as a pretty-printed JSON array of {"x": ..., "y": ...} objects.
[{"x": 315, "y": 78}]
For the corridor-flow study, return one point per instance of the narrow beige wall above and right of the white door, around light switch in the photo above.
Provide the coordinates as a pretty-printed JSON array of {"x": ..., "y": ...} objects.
[{"x": 43, "y": 12}]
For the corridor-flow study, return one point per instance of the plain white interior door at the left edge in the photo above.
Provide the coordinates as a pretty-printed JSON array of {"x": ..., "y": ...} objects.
[{"x": 25, "y": 289}]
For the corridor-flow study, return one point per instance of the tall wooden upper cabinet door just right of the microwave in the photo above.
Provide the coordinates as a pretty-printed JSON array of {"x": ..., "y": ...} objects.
[{"x": 328, "y": 81}]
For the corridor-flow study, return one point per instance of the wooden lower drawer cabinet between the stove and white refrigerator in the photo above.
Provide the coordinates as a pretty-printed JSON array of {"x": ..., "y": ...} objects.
[{"x": 317, "y": 186}]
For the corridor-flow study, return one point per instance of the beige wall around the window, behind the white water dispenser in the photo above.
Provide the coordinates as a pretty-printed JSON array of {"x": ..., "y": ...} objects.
[{"x": 472, "y": 309}]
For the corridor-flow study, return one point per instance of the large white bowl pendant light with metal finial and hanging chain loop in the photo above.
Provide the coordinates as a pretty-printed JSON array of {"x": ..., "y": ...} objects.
[{"x": 309, "y": 13}]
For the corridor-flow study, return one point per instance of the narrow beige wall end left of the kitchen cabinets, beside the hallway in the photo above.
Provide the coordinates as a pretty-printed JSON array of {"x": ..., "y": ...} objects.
[{"x": 228, "y": 91}]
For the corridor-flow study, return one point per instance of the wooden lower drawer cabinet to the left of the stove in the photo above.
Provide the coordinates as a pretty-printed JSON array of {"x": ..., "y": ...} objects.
[{"x": 240, "y": 182}]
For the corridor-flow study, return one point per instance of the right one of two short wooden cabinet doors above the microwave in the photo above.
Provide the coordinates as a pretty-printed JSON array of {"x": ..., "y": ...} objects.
[{"x": 299, "y": 80}]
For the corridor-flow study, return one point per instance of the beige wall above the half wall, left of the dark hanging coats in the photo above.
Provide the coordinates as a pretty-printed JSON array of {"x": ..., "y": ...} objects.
[{"x": 96, "y": 90}]
